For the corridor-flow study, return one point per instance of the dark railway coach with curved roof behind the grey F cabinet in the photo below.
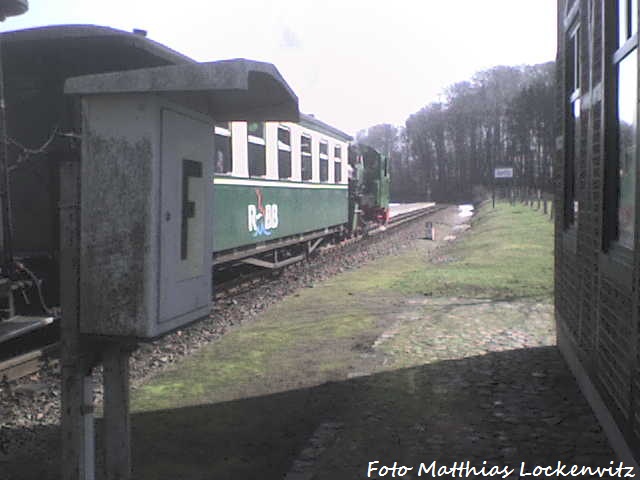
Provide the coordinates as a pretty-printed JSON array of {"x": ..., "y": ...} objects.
[{"x": 42, "y": 126}]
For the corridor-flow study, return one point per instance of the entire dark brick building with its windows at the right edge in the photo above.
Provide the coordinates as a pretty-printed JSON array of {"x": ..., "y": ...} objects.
[{"x": 597, "y": 243}]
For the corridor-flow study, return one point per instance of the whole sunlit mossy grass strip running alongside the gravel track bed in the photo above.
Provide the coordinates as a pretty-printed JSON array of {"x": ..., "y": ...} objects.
[{"x": 506, "y": 255}]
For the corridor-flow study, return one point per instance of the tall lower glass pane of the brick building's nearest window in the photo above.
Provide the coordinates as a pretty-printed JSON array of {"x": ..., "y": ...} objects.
[{"x": 626, "y": 118}]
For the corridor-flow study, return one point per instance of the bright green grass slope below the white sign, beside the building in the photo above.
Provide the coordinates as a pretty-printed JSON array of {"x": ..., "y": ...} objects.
[{"x": 508, "y": 255}]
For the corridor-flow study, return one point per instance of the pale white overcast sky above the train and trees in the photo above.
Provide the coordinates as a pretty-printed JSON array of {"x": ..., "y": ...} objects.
[{"x": 352, "y": 63}]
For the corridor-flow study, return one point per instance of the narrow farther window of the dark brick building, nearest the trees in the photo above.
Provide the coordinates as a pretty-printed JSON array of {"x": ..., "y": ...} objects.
[{"x": 572, "y": 126}]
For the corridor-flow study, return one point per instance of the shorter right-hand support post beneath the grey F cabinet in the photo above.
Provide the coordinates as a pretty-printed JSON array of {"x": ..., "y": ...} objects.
[{"x": 117, "y": 430}]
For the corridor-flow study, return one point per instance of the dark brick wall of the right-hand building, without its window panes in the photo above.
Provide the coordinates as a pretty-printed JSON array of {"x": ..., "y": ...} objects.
[{"x": 596, "y": 290}]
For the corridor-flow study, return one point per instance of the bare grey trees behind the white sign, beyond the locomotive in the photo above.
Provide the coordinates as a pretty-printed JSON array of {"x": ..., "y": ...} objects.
[{"x": 502, "y": 117}]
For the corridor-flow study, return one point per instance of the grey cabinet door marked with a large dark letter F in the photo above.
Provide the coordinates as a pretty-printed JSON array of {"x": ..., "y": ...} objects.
[{"x": 185, "y": 219}]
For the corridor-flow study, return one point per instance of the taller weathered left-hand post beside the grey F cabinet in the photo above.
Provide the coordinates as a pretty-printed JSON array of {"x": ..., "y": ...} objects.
[{"x": 78, "y": 449}]
